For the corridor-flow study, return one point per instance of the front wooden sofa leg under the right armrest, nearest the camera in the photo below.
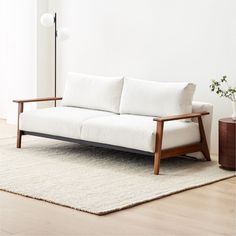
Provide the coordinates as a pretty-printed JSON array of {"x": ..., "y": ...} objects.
[{"x": 159, "y": 137}]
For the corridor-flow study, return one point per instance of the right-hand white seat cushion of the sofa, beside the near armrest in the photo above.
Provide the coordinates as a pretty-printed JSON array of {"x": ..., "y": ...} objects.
[{"x": 138, "y": 132}]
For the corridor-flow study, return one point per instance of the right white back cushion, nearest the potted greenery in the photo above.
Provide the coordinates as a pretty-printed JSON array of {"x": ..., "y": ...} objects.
[{"x": 150, "y": 98}]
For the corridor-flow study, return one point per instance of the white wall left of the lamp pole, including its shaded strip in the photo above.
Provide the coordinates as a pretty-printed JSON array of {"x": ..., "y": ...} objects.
[{"x": 26, "y": 58}]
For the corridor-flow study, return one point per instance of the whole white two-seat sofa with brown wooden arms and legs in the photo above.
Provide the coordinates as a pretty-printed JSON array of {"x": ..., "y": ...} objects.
[{"x": 124, "y": 113}]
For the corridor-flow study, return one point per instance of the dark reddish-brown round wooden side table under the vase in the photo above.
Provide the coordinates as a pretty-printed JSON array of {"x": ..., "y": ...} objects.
[{"x": 227, "y": 143}]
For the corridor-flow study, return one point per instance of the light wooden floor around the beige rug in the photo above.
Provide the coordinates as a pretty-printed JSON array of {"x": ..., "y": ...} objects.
[{"x": 209, "y": 210}]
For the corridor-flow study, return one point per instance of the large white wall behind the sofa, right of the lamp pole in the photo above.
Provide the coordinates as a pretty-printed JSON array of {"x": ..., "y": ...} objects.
[{"x": 171, "y": 40}]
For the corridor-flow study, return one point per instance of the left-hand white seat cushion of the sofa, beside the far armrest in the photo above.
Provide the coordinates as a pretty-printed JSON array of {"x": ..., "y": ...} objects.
[{"x": 59, "y": 121}]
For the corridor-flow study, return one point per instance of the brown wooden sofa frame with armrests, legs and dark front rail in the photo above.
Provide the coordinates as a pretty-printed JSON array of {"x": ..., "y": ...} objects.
[{"x": 159, "y": 153}]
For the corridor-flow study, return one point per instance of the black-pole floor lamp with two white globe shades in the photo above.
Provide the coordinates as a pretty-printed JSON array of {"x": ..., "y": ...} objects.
[{"x": 48, "y": 20}]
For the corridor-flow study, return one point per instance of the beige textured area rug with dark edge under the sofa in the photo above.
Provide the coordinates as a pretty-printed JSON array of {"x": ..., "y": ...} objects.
[{"x": 95, "y": 180}]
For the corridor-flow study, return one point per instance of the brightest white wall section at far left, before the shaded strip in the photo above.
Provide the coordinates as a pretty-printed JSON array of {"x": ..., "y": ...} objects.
[{"x": 18, "y": 54}]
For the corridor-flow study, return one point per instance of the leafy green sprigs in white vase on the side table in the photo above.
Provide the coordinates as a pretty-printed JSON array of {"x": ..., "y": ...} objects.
[{"x": 223, "y": 89}]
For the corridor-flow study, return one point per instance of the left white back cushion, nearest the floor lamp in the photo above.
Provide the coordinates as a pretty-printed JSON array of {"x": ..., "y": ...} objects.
[{"x": 94, "y": 92}]
